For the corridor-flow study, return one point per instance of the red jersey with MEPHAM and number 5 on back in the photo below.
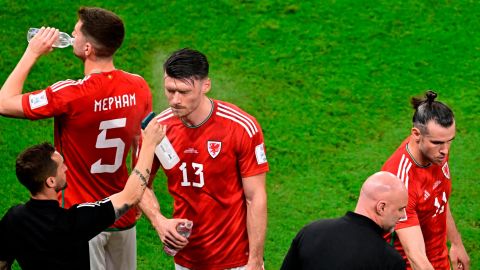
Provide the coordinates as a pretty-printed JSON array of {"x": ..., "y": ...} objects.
[{"x": 96, "y": 120}]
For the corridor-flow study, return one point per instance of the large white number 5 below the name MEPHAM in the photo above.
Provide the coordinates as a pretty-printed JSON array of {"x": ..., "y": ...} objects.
[{"x": 103, "y": 142}]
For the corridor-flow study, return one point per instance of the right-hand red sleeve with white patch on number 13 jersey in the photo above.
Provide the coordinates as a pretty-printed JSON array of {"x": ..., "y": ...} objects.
[{"x": 252, "y": 154}]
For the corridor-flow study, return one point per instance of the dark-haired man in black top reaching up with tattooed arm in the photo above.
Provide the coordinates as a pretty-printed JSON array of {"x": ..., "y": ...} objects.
[{"x": 42, "y": 235}]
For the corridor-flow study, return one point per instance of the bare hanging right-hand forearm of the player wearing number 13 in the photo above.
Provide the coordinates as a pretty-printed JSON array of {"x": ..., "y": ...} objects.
[{"x": 256, "y": 226}]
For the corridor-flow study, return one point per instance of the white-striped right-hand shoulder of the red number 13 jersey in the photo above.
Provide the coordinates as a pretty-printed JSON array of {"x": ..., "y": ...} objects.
[{"x": 240, "y": 118}]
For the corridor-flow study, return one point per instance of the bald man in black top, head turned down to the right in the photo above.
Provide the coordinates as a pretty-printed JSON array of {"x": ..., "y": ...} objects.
[{"x": 355, "y": 240}]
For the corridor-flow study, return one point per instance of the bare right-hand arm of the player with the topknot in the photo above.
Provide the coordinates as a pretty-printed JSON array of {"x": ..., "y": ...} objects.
[{"x": 458, "y": 255}]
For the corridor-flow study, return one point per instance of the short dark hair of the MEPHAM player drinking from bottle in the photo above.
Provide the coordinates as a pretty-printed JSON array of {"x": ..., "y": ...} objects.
[{"x": 103, "y": 28}]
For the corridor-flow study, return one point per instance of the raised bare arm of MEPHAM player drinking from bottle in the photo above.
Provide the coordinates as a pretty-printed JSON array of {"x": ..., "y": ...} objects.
[{"x": 11, "y": 92}]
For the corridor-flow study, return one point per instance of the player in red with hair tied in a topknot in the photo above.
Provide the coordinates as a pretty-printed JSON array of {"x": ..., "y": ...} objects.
[{"x": 421, "y": 162}]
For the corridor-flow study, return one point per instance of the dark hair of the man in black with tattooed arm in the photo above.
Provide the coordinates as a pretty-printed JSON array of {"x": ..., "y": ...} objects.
[{"x": 34, "y": 165}]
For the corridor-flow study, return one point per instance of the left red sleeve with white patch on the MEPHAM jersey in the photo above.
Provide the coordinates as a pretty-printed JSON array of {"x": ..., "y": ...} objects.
[{"x": 52, "y": 101}]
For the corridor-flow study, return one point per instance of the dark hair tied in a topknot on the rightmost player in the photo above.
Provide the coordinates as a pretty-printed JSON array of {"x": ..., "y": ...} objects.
[{"x": 428, "y": 109}]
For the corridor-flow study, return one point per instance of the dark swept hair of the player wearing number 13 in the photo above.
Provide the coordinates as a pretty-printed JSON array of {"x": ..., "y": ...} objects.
[{"x": 187, "y": 64}]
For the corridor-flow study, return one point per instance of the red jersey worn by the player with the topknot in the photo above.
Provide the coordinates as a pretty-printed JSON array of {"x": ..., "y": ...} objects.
[{"x": 428, "y": 188}]
